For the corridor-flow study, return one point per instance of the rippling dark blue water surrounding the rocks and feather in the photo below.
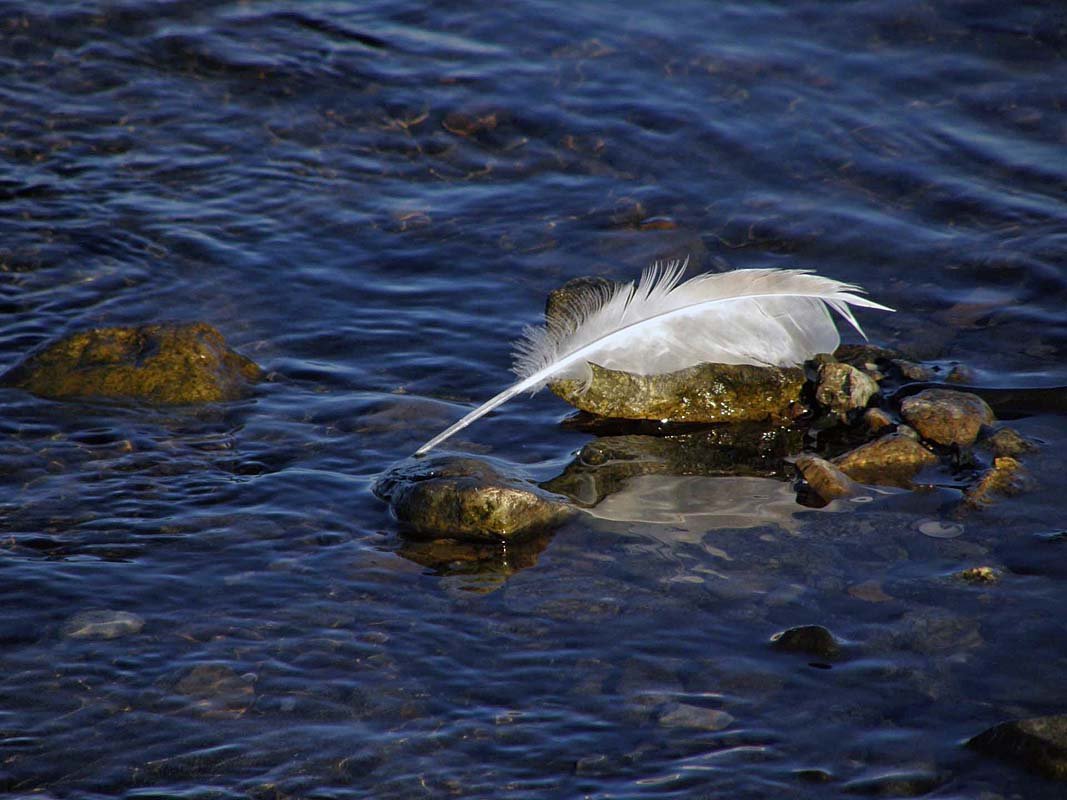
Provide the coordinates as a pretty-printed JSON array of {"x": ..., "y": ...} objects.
[{"x": 372, "y": 200}]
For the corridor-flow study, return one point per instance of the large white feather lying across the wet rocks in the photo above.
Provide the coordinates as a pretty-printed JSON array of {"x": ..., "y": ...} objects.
[{"x": 772, "y": 317}]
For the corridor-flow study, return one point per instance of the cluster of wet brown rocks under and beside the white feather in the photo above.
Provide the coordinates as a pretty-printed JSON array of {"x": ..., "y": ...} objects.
[{"x": 841, "y": 424}]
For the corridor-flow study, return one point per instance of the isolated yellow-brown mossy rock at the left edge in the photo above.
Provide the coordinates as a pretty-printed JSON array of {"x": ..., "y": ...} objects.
[{"x": 163, "y": 364}]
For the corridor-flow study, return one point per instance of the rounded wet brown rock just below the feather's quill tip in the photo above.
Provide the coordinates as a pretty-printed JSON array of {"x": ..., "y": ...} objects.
[{"x": 469, "y": 499}]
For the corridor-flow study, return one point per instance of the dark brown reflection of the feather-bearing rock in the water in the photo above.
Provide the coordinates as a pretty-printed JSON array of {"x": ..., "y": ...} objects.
[{"x": 744, "y": 450}]
